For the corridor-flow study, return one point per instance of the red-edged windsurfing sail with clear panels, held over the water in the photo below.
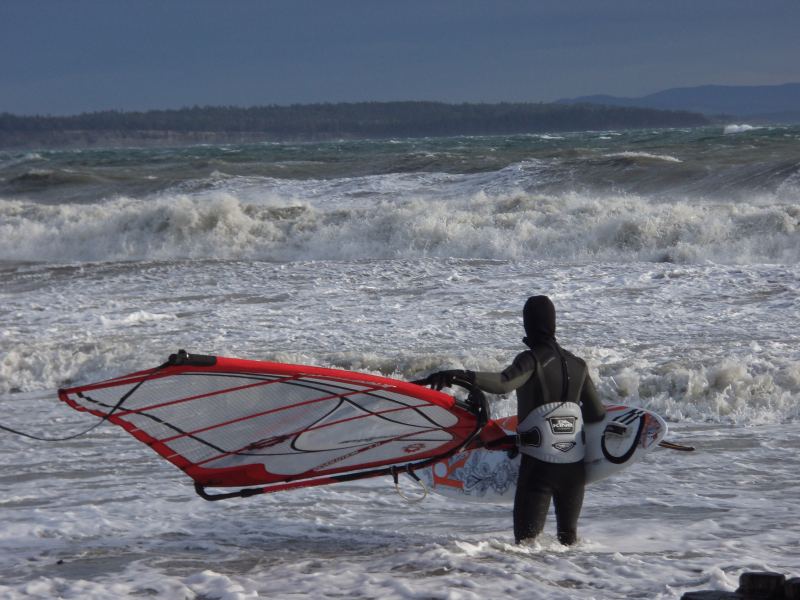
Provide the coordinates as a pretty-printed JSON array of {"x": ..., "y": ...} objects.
[{"x": 229, "y": 422}]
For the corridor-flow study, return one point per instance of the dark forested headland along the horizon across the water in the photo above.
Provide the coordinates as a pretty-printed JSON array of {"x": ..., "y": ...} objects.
[{"x": 299, "y": 122}]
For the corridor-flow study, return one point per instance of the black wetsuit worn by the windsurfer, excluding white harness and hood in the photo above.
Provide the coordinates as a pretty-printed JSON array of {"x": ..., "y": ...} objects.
[{"x": 537, "y": 375}]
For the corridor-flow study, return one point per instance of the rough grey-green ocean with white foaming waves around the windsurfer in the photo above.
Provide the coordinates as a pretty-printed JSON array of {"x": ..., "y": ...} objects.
[{"x": 672, "y": 258}]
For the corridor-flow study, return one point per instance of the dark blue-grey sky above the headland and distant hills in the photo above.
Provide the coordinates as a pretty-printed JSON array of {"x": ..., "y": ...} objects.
[{"x": 71, "y": 56}]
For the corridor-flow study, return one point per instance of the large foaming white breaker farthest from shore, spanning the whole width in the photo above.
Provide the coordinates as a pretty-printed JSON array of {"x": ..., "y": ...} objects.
[{"x": 305, "y": 225}]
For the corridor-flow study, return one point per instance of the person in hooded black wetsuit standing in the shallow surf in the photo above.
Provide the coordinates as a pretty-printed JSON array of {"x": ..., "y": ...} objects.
[{"x": 555, "y": 397}]
